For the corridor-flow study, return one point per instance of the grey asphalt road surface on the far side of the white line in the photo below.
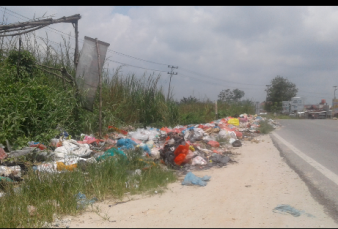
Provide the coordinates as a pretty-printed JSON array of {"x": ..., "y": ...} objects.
[{"x": 317, "y": 138}]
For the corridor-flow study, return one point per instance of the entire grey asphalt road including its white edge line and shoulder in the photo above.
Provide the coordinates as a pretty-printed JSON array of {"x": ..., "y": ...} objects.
[{"x": 310, "y": 147}]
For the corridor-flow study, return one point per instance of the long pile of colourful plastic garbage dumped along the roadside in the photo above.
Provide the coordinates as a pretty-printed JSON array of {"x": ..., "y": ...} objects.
[{"x": 190, "y": 147}]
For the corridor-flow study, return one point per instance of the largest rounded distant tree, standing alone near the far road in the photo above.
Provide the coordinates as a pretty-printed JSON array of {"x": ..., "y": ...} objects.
[{"x": 280, "y": 89}]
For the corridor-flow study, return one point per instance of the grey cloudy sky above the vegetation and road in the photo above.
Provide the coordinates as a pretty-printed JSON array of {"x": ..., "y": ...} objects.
[{"x": 215, "y": 48}]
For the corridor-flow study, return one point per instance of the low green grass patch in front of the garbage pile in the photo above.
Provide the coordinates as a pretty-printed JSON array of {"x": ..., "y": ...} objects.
[{"x": 50, "y": 193}]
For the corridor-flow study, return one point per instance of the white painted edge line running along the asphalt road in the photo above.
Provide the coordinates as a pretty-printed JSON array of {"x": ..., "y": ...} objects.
[{"x": 326, "y": 172}]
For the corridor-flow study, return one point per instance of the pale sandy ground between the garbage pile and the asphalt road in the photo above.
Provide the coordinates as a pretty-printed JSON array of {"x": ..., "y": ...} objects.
[{"x": 238, "y": 195}]
